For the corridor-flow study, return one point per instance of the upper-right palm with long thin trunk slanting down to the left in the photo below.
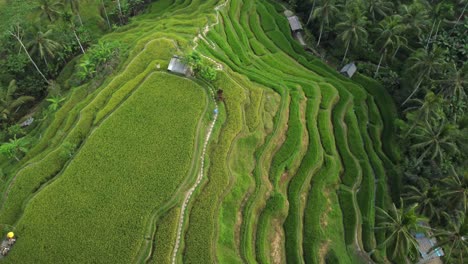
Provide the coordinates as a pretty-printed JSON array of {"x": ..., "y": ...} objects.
[{"x": 423, "y": 63}]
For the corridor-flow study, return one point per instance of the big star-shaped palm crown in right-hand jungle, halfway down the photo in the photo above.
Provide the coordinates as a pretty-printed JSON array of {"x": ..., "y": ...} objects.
[{"x": 434, "y": 140}]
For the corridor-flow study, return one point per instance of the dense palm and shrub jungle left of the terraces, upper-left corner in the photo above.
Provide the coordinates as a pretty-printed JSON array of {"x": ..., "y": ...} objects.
[{"x": 40, "y": 45}]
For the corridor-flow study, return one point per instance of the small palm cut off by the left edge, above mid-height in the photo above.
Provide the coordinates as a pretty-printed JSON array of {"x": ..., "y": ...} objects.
[{"x": 8, "y": 103}]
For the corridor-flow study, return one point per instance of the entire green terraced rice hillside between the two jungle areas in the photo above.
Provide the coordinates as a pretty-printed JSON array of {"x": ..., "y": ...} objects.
[{"x": 298, "y": 159}]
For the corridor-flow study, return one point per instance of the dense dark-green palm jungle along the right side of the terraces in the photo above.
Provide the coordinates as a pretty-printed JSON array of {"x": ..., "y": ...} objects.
[{"x": 418, "y": 49}]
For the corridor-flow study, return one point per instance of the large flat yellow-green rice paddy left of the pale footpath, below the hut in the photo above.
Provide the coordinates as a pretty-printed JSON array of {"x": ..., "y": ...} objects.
[{"x": 107, "y": 199}]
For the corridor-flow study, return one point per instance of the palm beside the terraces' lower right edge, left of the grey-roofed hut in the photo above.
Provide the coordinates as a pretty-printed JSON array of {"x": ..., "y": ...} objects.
[{"x": 399, "y": 224}]
